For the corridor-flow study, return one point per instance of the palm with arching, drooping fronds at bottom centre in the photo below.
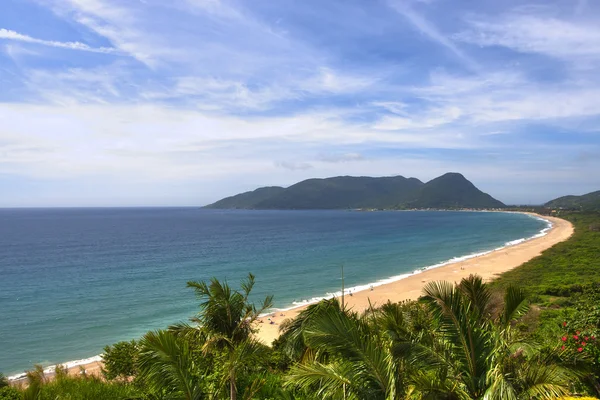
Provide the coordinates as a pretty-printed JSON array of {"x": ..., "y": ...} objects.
[{"x": 359, "y": 362}]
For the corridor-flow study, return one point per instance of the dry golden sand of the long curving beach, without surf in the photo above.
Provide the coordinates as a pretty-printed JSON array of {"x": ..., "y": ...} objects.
[{"x": 487, "y": 266}]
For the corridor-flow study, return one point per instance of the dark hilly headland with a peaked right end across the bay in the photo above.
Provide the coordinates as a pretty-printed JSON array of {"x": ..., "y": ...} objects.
[{"x": 451, "y": 190}]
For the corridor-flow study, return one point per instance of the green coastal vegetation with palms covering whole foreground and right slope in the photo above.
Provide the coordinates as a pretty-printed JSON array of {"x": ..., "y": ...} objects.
[{"x": 530, "y": 334}]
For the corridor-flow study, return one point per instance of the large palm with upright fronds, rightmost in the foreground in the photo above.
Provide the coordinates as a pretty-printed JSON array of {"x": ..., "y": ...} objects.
[{"x": 478, "y": 356}]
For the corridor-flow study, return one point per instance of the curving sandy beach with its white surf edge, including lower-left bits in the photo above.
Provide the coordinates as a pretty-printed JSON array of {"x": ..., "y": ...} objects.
[{"x": 381, "y": 291}]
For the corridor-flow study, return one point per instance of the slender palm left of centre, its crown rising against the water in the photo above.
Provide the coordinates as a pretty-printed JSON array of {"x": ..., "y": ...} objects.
[{"x": 227, "y": 318}]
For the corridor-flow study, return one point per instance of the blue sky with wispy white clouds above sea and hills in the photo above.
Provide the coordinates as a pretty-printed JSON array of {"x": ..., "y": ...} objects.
[{"x": 183, "y": 102}]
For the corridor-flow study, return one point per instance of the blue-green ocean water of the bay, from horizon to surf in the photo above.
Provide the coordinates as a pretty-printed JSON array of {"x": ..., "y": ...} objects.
[{"x": 75, "y": 280}]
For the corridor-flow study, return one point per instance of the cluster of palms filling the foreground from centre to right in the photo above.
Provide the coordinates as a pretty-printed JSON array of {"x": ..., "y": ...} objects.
[{"x": 449, "y": 346}]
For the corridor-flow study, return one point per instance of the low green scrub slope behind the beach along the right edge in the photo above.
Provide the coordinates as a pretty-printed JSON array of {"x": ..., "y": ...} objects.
[{"x": 564, "y": 284}]
